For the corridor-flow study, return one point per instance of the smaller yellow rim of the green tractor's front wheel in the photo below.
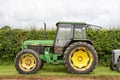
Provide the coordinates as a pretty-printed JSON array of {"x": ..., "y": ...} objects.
[{"x": 27, "y": 62}]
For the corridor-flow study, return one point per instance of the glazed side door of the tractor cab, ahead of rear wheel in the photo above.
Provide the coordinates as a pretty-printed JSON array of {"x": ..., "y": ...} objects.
[{"x": 63, "y": 36}]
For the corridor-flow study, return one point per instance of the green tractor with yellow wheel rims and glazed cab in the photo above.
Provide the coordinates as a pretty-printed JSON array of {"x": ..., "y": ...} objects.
[{"x": 70, "y": 47}]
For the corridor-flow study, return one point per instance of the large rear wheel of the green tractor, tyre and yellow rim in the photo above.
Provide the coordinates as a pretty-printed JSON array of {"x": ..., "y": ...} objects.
[{"x": 80, "y": 58}]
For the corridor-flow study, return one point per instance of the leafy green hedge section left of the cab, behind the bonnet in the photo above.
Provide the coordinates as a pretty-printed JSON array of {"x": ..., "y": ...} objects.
[{"x": 11, "y": 41}]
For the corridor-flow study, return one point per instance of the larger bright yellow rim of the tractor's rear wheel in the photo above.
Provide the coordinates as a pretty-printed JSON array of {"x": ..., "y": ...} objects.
[{"x": 80, "y": 58}]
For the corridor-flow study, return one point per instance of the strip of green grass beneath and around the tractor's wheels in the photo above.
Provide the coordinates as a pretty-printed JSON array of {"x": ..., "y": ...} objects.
[{"x": 57, "y": 70}]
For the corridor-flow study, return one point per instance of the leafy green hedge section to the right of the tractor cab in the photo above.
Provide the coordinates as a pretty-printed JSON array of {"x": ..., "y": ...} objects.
[{"x": 104, "y": 42}]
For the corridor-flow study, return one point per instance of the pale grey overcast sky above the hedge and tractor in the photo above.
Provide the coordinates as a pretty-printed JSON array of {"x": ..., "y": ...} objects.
[{"x": 26, "y": 13}]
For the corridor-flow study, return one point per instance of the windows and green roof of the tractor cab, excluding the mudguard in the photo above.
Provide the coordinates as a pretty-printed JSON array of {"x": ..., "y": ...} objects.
[{"x": 67, "y": 32}]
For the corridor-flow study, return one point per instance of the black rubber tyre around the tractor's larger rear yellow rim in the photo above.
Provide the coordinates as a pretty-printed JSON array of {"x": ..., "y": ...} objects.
[{"x": 68, "y": 62}]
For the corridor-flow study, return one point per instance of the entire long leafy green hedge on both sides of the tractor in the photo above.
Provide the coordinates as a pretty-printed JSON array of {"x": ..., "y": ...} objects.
[{"x": 11, "y": 41}]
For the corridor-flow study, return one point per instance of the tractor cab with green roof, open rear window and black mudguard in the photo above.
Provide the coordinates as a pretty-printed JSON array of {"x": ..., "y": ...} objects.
[{"x": 69, "y": 32}]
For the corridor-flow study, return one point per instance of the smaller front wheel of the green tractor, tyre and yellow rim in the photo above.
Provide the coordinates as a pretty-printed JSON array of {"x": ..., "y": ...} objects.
[{"x": 27, "y": 62}]
